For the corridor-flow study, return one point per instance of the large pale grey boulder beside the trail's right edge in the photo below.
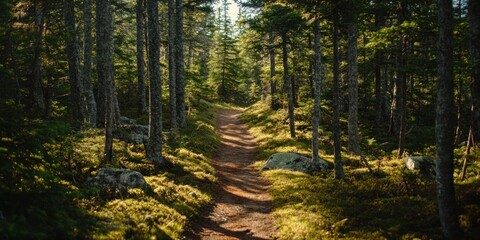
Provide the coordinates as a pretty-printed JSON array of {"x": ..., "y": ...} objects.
[{"x": 294, "y": 162}]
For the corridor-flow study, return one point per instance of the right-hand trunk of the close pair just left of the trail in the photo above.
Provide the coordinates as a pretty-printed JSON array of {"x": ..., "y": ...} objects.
[{"x": 180, "y": 66}]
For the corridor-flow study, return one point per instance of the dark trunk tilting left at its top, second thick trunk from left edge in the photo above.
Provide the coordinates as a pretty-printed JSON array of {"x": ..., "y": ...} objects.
[{"x": 73, "y": 54}]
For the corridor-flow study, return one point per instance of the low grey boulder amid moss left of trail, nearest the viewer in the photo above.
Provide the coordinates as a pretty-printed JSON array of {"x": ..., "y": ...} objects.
[{"x": 117, "y": 178}]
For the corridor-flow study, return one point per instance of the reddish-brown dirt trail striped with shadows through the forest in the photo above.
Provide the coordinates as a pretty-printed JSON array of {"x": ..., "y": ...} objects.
[{"x": 242, "y": 205}]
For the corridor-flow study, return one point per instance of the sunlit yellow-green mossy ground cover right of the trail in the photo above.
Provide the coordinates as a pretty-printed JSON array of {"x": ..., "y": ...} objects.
[{"x": 391, "y": 204}]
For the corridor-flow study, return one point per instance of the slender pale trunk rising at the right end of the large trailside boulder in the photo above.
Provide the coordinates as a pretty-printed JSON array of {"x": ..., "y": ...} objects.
[{"x": 318, "y": 81}]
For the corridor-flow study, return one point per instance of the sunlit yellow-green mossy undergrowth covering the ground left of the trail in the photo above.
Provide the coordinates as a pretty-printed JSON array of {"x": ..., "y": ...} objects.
[{"x": 46, "y": 198}]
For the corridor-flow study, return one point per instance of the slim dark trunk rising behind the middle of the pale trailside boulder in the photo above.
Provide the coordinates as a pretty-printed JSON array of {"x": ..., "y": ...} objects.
[{"x": 286, "y": 79}]
